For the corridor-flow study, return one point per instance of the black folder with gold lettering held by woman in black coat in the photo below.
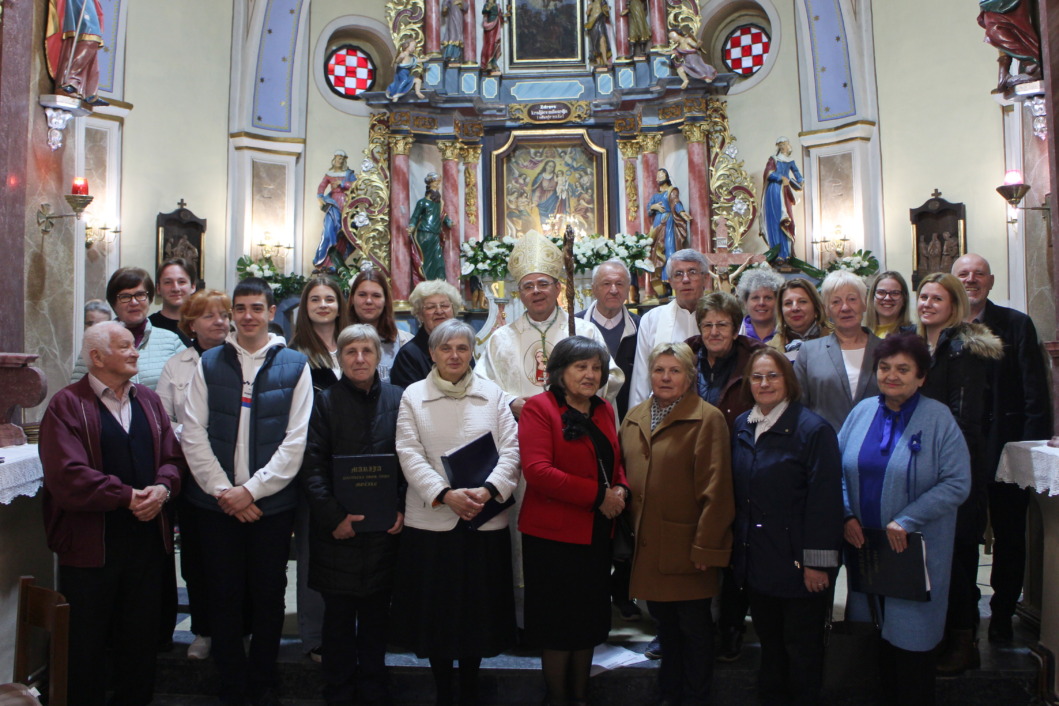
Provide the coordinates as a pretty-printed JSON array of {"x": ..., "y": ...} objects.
[{"x": 367, "y": 484}]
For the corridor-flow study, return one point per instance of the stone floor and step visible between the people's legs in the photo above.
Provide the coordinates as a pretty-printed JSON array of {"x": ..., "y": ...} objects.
[{"x": 1008, "y": 677}]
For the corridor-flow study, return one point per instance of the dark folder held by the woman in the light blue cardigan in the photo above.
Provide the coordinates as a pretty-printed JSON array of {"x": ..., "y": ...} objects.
[{"x": 876, "y": 569}]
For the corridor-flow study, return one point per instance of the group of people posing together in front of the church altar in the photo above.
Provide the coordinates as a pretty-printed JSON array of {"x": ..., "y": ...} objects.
[{"x": 720, "y": 448}]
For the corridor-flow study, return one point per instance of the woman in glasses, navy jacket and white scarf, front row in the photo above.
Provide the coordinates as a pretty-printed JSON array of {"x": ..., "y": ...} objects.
[{"x": 787, "y": 473}]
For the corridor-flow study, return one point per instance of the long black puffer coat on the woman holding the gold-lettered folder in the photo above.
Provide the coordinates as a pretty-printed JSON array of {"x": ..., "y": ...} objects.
[{"x": 346, "y": 422}]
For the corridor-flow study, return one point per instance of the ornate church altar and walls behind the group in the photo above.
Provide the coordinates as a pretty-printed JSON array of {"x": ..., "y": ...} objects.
[{"x": 303, "y": 134}]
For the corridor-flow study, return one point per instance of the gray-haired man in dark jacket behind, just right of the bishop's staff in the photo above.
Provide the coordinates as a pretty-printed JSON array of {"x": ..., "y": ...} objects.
[{"x": 612, "y": 282}]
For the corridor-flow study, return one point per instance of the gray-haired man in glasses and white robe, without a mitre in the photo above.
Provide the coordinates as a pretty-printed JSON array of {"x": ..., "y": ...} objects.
[{"x": 673, "y": 323}]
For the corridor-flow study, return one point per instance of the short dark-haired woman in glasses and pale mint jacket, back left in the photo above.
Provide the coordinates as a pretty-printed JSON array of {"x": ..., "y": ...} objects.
[{"x": 130, "y": 294}]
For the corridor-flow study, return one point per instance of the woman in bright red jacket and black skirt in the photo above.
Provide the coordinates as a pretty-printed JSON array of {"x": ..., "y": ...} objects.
[{"x": 576, "y": 488}]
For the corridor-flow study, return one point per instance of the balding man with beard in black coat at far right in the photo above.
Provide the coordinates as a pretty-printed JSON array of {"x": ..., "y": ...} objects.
[{"x": 1021, "y": 411}]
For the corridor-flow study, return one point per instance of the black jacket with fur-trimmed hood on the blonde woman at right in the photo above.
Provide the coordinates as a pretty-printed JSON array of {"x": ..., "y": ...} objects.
[{"x": 959, "y": 377}]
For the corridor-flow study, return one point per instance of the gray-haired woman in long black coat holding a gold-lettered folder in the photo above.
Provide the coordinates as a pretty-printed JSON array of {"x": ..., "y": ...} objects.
[{"x": 353, "y": 571}]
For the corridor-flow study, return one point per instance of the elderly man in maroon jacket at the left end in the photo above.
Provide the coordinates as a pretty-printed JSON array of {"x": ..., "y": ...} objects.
[{"x": 112, "y": 463}]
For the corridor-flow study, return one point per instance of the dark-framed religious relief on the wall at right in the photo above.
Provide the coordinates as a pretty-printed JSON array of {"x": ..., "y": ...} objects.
[{"x": 939, "y": 237}]
